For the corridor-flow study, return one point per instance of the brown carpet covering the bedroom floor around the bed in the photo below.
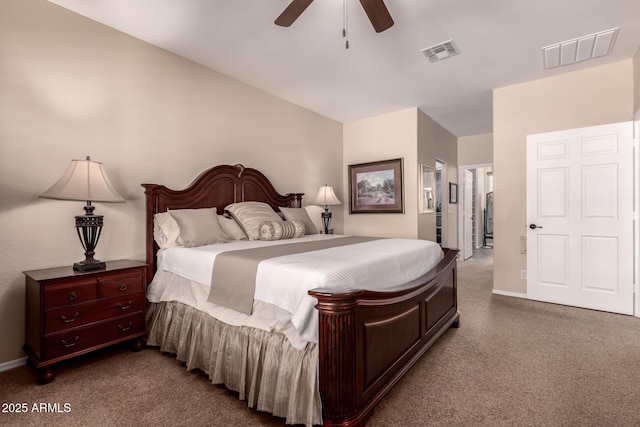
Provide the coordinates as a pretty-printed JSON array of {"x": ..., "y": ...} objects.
[{"x": 513, "y": 362}]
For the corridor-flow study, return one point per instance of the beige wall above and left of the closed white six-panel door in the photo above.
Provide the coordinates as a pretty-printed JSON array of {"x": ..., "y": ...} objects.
[{"x": 589, "y": 97}]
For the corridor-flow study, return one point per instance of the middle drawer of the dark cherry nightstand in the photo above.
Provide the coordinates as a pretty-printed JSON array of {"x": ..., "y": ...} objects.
[{"x": 83, "y": 314}]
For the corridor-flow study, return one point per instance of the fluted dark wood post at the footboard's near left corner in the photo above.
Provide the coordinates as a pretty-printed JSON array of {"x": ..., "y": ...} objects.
[{"x": 337, "y": 357}]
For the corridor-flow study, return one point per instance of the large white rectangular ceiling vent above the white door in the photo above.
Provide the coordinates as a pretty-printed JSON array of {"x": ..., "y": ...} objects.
[{"x": 579, "y": 49}]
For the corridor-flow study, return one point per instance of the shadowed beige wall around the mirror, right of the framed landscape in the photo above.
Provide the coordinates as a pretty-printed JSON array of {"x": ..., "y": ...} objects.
[{"x": 437, "y": 143}]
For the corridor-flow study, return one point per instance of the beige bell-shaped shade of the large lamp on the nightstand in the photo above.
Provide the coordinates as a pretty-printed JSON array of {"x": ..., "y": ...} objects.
[{"x": 84, "y": 180}]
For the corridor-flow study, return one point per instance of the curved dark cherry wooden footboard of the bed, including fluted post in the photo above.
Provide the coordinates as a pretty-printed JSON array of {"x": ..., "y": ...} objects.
[{"x": 368, "y": 340}]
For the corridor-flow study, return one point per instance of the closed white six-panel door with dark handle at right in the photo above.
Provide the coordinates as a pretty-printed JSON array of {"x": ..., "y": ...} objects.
[{"x": 580, "y": 217}]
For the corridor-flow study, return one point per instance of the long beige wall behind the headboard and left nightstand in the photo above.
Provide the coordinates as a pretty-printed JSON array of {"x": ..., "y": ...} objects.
[{"x": 71, "y": 87}]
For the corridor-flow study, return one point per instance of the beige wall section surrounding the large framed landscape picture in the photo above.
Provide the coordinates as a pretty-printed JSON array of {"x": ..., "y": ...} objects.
[{"x": 383, "y": 137}]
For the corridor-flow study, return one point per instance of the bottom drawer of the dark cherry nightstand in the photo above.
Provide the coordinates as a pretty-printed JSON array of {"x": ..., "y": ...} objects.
[{"x": 75, "y": 340}]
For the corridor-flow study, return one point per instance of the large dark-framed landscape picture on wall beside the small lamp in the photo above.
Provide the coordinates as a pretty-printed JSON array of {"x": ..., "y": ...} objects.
[{"x": 376, "y": 187}]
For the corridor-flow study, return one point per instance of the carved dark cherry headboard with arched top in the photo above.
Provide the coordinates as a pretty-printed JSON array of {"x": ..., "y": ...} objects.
[{"x": 216, "y": 187}]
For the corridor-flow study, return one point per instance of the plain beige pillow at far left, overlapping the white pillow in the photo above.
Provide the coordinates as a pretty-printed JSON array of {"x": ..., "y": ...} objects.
[{"x": 198, "y": 227}]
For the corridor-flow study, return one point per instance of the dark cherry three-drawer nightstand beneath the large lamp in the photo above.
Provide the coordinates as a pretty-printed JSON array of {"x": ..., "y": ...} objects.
[{"x": 70, "y": 313}]
